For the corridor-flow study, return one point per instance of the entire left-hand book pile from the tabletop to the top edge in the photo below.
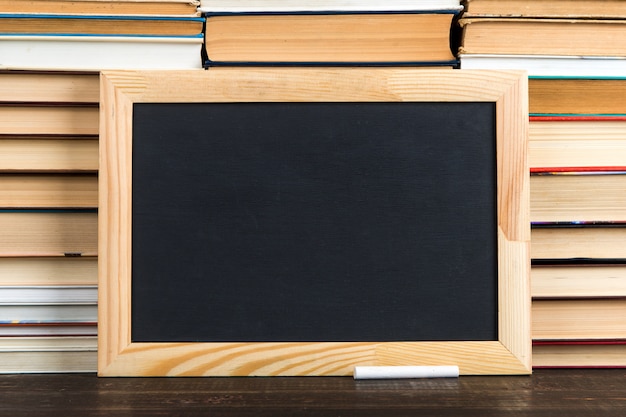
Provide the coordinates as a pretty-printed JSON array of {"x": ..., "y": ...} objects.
[{"x": 50, "y": 55}]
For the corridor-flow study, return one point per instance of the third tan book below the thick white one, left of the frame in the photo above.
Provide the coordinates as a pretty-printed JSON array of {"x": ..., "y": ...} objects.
[{"x": 45, "y": 154}]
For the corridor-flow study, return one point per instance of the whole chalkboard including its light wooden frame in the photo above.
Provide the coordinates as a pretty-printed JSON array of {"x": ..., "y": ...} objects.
[{"x": 288, "y": 235}]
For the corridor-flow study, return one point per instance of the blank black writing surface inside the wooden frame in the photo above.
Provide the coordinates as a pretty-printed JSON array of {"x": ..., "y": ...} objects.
[{"x": 314, "y": 222}]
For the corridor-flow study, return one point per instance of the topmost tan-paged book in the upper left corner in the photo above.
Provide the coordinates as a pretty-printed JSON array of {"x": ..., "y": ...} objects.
[{"x": 103, "y": 7}]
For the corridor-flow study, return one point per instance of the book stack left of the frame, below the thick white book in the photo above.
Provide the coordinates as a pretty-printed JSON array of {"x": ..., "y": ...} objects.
[{"x": 48, "y": 218}]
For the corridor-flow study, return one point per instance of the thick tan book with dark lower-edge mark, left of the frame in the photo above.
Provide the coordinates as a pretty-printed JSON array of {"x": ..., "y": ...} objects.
[{"x": 49, "y": 233}]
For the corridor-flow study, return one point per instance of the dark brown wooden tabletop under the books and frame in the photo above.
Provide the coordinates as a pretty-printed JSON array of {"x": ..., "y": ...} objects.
[{"x": 550, "y": 393}]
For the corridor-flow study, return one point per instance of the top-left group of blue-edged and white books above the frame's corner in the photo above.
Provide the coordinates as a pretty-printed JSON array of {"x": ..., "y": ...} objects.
[{"x": 100, "y": 34}]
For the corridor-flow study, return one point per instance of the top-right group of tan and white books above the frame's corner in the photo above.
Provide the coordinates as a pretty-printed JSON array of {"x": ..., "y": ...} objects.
[{"x": 547, "y": 37}]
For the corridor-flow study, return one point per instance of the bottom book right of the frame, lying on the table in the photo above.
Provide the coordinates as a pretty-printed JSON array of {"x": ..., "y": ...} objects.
[{"x": 579, "y": 354}]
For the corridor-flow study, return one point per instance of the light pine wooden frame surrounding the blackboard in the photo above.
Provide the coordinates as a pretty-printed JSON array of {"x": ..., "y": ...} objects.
[{"x": 119, "y": 356}]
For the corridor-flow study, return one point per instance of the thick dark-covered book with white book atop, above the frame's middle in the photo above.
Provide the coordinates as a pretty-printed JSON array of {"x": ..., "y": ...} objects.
[{"x": 323, "y": 32}]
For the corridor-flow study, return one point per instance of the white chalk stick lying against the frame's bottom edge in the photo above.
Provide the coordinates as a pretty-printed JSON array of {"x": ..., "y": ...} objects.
[{"x": 397, "y": 372}]
